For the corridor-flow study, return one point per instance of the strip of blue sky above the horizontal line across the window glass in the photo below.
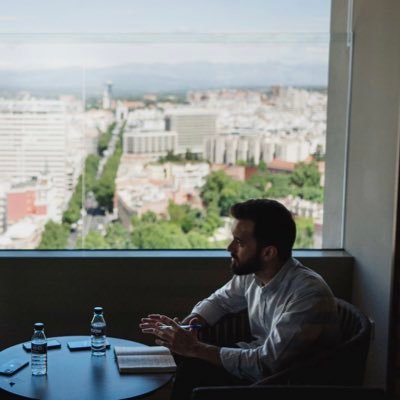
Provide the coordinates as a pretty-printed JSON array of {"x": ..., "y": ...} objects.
[{"x": 80, "y": 16}]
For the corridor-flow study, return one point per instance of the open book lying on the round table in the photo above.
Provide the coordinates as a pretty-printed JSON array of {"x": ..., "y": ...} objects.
[{"x": 140, "y": 359}]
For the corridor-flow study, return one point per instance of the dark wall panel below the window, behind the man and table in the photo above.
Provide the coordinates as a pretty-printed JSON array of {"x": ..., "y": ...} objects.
[{"x": 61, "y": 292}]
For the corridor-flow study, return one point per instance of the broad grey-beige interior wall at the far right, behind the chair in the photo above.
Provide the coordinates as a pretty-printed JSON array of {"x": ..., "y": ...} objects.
[{"x": 372, "y": 167}]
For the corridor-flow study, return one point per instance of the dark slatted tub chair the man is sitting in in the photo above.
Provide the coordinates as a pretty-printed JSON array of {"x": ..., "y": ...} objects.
[{"x": 343, "y": 365}]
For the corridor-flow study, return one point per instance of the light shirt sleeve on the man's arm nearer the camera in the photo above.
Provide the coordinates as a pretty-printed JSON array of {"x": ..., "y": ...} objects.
[{"x": 297, "y": 330}]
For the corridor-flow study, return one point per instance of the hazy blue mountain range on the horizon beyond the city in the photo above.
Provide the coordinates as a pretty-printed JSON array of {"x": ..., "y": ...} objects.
[{"x": 137, "y": 79}]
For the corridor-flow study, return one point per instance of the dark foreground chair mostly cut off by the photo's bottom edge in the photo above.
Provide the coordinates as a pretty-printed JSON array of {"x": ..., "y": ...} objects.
[{"x": 285, "y": 392}]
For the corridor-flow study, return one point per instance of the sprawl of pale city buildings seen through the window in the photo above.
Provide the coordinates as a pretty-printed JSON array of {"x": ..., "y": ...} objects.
[{"x": 127, "y": 177}]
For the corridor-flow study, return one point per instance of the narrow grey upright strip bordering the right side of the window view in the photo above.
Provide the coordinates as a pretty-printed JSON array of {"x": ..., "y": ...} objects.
[{"x": 336, "y": 129}]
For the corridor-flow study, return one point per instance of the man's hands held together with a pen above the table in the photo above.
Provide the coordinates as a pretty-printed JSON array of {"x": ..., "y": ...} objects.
[{"x": 169, "y": 333}]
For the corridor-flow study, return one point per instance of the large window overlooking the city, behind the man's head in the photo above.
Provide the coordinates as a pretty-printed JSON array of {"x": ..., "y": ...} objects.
[{"x": 136, "y": 125}]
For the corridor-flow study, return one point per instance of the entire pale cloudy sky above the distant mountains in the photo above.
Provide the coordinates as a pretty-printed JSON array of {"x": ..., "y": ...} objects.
[{"x": 53, "y": 34}]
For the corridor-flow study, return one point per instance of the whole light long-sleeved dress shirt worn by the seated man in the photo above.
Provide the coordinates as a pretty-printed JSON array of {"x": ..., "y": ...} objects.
[{"x": 292, "y": 316}]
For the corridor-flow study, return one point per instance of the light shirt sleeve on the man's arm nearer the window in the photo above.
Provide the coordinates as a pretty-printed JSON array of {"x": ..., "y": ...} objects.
[{"x": 228, "y": 299}]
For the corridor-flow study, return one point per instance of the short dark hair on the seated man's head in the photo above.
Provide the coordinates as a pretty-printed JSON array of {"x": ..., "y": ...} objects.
[{"x": 273, "y": 223}]
